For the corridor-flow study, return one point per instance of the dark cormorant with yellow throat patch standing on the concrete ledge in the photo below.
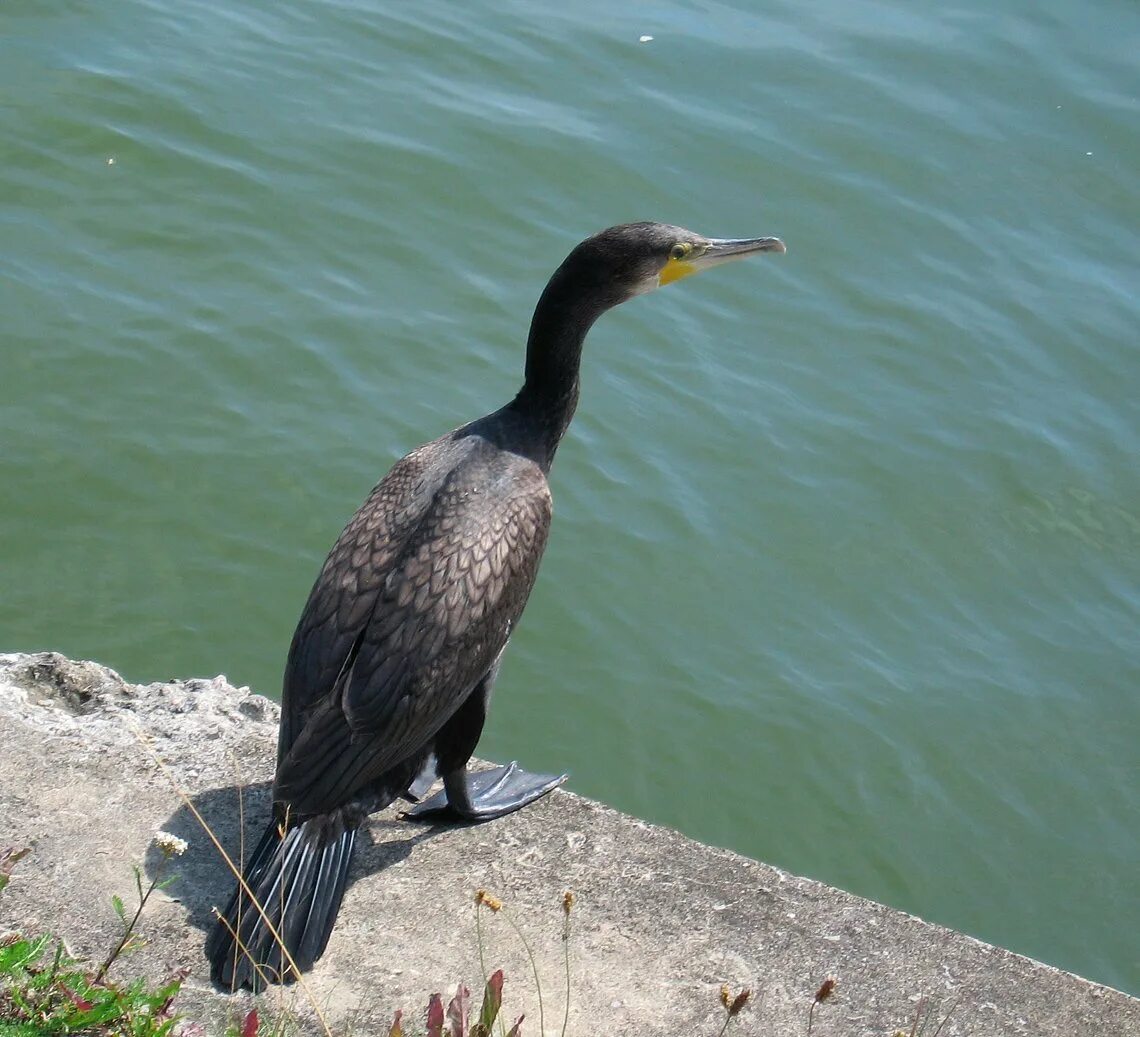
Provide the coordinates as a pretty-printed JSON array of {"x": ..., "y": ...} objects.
[{"x": 392, "y": 668}]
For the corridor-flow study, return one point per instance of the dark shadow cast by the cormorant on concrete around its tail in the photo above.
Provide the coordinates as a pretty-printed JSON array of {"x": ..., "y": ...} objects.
[{"x": 237, "y": 816}]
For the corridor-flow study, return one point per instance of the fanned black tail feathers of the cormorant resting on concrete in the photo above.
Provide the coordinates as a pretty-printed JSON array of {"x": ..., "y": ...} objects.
[{"x": 298, "y": 879}]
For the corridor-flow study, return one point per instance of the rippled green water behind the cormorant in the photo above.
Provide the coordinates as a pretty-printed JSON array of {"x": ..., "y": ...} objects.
[{"x": 846, "y": 564}]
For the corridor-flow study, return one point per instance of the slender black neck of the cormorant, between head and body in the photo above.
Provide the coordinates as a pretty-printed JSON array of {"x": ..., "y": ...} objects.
[{"x": 558, "y": 330}]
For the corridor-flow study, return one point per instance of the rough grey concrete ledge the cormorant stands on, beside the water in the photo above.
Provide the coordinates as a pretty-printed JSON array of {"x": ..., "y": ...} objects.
[{"x": 659, "y": 921}]
